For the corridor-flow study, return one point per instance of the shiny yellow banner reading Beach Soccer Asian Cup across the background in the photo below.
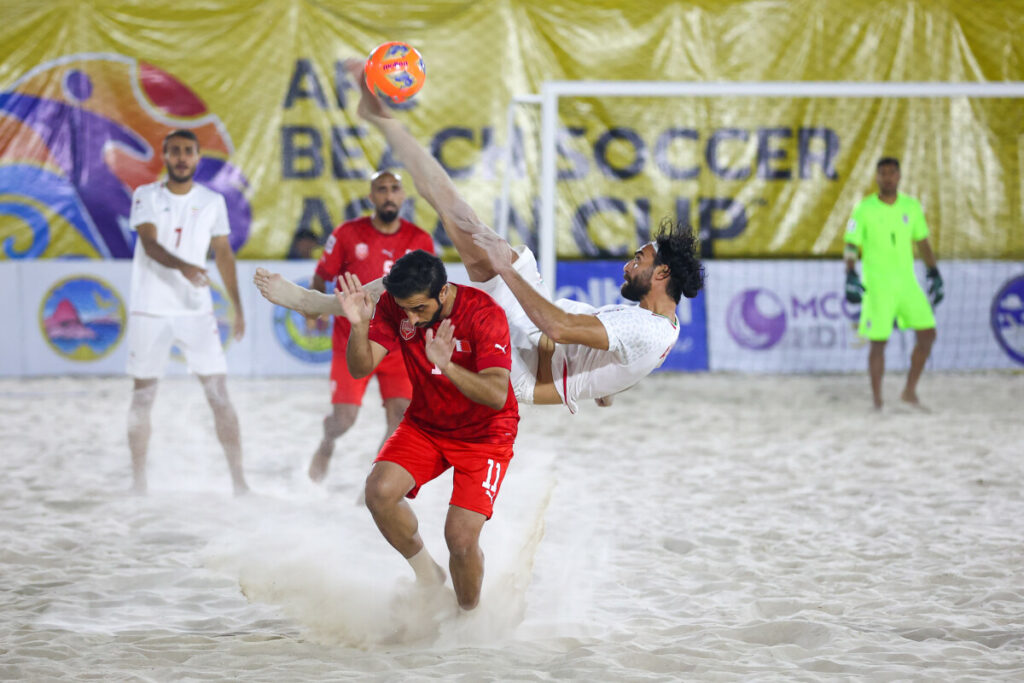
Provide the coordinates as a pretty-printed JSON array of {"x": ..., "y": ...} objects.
[{"x": 89, "y": 91}]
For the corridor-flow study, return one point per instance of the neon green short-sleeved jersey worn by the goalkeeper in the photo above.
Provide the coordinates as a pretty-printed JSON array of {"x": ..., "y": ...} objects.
[{"x": 886, "y": 235}]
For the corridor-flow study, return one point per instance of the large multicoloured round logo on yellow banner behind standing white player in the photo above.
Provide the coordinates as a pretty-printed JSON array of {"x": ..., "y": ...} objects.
[{"x": 79, "y": 135}]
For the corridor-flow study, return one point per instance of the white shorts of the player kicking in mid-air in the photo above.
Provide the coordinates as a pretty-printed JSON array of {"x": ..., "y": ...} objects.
[{"x": 525, "y": 334}]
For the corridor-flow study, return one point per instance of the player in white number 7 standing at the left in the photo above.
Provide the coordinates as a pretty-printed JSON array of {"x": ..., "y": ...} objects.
[{"x": 179, "y": 222}]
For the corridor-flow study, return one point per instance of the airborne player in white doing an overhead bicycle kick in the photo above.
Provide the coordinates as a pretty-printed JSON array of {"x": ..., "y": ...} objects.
[{"x": 565, "y": 352}]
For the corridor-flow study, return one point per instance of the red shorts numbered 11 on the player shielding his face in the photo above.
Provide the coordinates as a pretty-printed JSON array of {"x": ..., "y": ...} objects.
[{"x": 480, "y": 468}]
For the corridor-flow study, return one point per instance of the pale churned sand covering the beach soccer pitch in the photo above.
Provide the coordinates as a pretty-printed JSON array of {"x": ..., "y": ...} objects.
[{"x": 719, "y": 528}]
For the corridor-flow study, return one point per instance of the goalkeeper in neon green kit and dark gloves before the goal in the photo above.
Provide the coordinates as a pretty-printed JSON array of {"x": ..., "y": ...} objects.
[{"x": 883, "y": 232}]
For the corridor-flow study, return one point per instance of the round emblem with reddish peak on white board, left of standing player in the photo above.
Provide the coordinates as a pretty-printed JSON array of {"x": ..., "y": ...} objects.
[{"x": 82, "y": 318}]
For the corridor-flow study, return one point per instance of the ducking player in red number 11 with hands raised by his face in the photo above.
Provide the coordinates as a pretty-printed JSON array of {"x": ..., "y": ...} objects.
[{"x": 455, "y": 344}]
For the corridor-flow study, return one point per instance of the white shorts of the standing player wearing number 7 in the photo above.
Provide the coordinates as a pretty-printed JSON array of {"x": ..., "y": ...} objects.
[{"x": 151, "y": 339}]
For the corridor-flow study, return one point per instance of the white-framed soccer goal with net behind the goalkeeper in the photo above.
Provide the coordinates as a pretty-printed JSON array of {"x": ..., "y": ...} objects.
[{"x": 769, "y": 175}]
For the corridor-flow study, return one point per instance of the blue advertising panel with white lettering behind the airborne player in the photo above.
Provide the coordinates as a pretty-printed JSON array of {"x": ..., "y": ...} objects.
[{"x": 599, "y": 283}]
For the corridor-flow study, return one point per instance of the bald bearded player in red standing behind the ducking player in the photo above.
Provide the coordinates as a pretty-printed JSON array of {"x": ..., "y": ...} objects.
[{"x": 366, "y": 247}]
